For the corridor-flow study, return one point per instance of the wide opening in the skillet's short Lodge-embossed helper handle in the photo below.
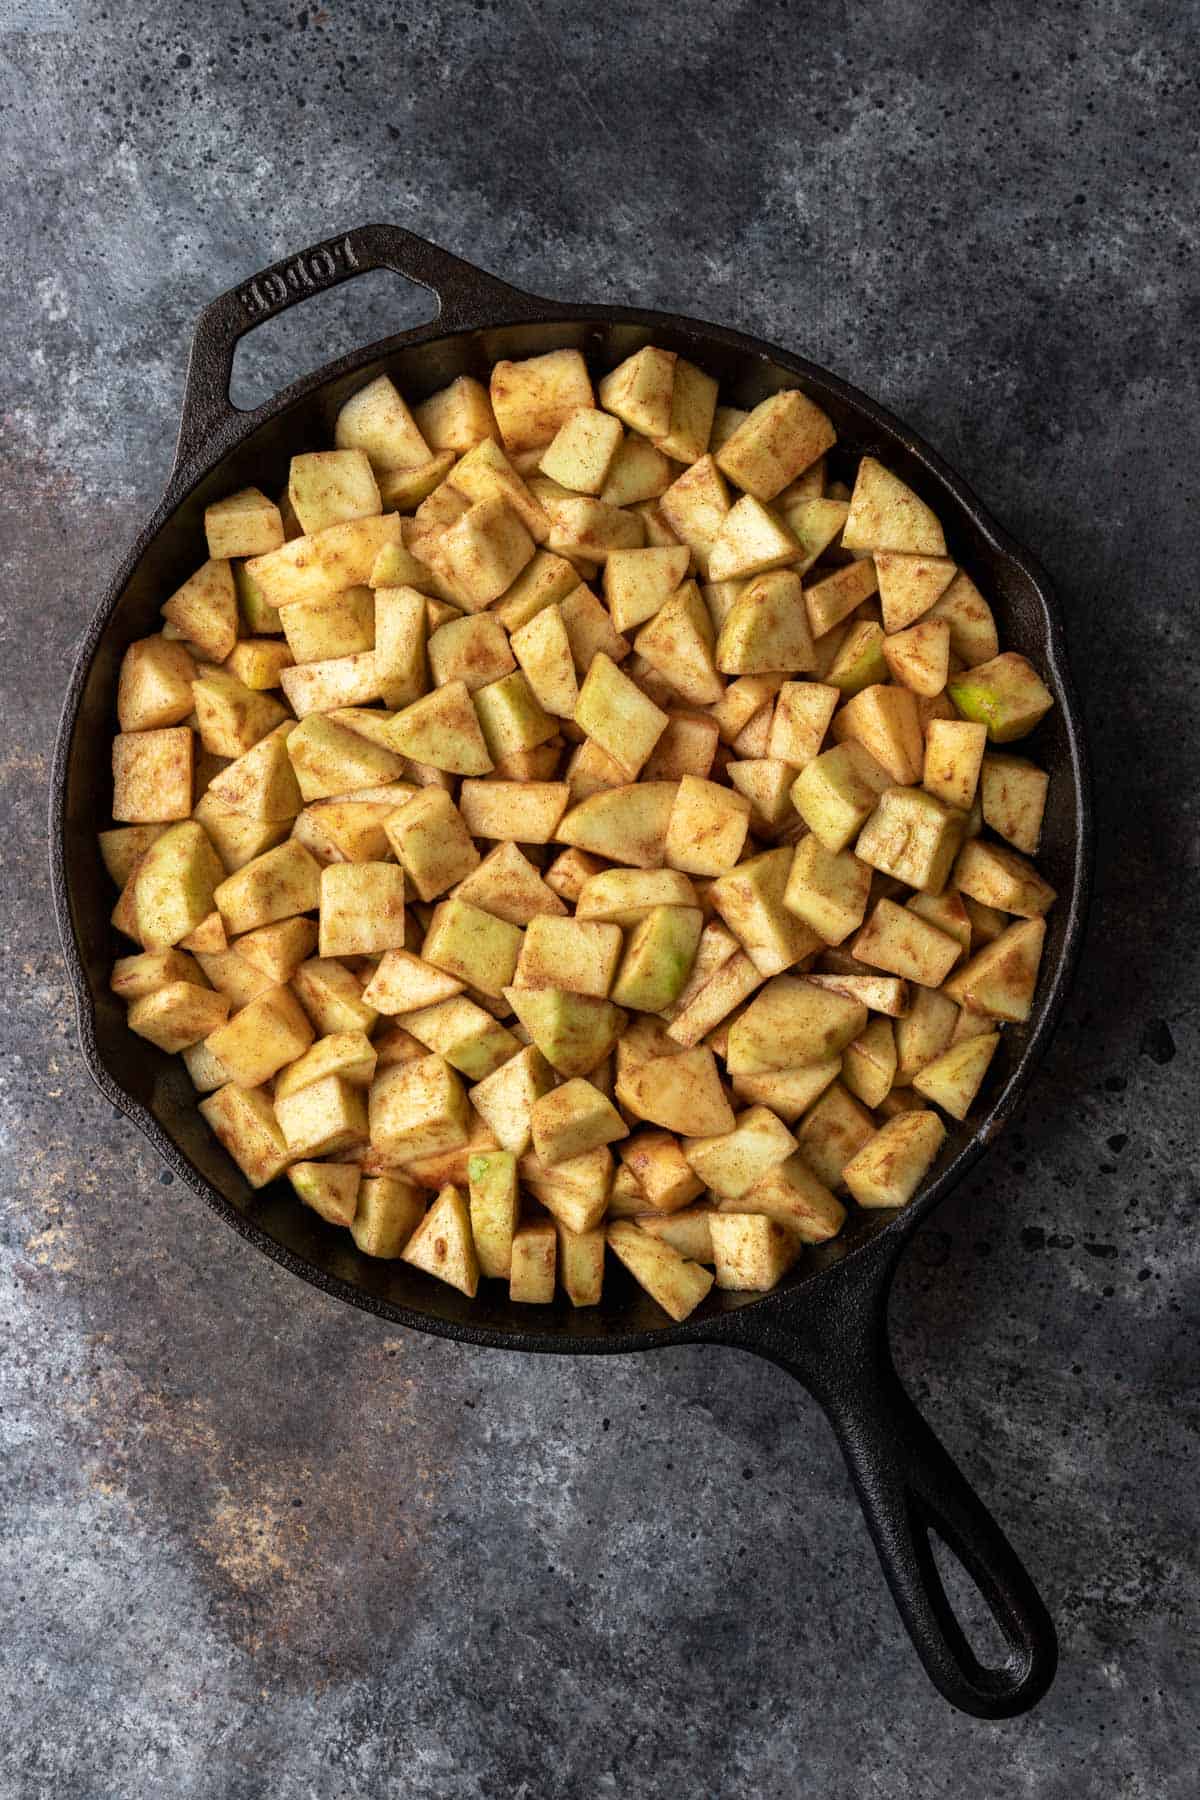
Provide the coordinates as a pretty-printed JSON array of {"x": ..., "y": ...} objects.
[{"x": 327, "y": 325}]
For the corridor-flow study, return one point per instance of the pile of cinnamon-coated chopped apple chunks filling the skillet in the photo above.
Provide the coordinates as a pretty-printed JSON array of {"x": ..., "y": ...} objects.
[{"x": 571, "y": 820}]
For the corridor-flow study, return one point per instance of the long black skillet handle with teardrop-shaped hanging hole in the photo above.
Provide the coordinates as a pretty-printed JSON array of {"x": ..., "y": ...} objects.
[{"x": 836, "y": 1342}]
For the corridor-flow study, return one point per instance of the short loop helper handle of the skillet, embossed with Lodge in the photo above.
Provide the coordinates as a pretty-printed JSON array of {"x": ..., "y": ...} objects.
[{"x": 467, "y": 298}]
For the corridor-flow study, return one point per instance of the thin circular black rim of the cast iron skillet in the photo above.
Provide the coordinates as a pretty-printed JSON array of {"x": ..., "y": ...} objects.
[{"x": 877, "y": 1255}]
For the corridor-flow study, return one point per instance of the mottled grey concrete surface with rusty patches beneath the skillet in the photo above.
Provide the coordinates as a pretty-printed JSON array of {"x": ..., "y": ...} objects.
[{"x": 255, "y": 1543}]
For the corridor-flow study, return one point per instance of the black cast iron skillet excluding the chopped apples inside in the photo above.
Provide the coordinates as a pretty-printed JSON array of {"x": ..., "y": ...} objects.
[{"x": 828, "y": 1324}]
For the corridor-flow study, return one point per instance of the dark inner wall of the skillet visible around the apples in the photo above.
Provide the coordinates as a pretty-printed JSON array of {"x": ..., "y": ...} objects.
[{"x": 157, "y": 1086}]
